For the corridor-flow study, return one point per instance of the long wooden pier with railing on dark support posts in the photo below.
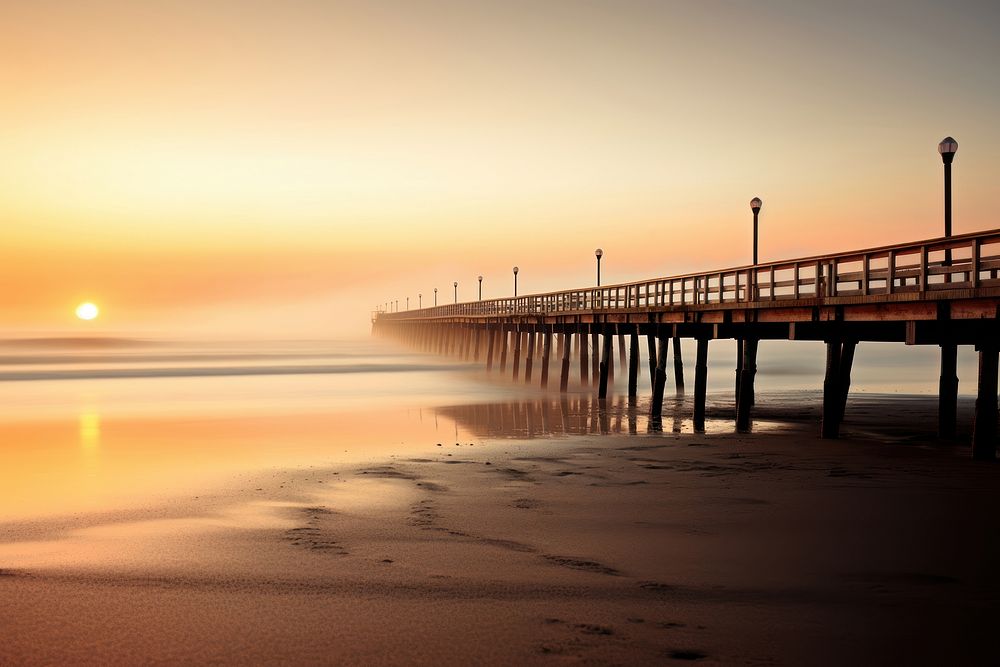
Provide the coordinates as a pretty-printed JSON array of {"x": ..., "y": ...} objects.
[{"x": 943, "y": 292}]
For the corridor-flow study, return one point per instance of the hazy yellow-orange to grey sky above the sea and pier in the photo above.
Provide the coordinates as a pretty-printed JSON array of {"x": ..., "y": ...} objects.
[{"x": 280, "y": 169}]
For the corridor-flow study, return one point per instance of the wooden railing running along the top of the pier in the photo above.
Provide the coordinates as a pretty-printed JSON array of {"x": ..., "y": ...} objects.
[{"x": 968, "y": 261}]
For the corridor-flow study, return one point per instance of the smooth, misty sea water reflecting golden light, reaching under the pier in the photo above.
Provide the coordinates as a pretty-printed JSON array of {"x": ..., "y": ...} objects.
[{"x": 99, "y": 424}]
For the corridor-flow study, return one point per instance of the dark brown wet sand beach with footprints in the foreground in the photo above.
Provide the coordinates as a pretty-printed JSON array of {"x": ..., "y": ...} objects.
[{"x": 771, "y": 548}]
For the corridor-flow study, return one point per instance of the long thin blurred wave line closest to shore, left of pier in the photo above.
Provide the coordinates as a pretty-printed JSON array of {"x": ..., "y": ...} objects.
[{"x": 213, "y": 371}]
